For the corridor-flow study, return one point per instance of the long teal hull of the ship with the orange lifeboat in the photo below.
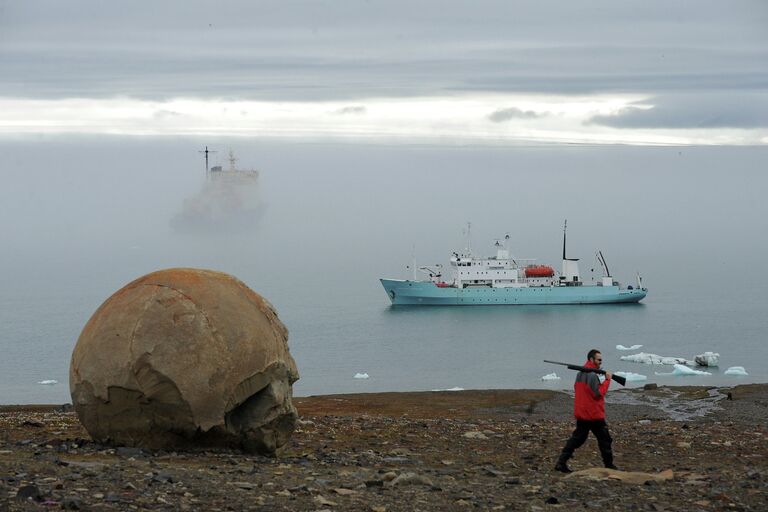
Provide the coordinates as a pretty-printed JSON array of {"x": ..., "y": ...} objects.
[{"x": 401, "y": 292}]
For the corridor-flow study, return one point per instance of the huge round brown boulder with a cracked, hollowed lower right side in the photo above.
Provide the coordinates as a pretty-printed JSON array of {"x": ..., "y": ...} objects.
[{"x": 185, "y": 358}]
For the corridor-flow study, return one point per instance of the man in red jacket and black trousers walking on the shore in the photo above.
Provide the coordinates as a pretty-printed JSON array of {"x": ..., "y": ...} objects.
[{"x": 589, "y": 410}]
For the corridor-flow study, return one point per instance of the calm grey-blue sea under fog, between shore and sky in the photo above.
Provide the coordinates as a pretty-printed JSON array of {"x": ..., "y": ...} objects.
[{"x": 81, "y": 217}]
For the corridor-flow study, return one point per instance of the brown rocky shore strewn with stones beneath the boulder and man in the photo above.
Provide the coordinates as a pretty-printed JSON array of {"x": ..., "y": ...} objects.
[{"x": 691, "y": 448}]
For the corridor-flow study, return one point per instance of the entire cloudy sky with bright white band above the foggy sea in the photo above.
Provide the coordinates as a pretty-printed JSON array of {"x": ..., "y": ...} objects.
[{"x": 496, "y": 72}]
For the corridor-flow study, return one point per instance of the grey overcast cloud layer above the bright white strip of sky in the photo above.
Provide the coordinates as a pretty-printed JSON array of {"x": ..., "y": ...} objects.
[{"x": 676, "y": 55}]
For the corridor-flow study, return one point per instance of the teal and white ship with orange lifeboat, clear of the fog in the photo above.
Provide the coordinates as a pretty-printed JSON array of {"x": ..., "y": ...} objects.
[{"x": 503, "y": 280}]
